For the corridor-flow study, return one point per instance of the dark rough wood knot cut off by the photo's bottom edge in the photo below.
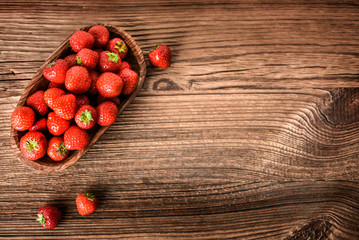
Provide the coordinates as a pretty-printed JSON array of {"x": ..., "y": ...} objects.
[{"x": 314, "y": 230}]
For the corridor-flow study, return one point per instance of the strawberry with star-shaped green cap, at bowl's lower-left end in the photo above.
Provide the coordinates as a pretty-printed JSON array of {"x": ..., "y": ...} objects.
[{"x": 33, "y": 145}]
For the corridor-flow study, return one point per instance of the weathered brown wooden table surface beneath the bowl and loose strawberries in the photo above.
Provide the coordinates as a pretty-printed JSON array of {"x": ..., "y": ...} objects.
[{"x": 252, "y": 133}]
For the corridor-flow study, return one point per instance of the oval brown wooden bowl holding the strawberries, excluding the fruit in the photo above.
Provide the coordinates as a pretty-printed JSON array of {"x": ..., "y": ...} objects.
[{"x": 46, "y": 165}]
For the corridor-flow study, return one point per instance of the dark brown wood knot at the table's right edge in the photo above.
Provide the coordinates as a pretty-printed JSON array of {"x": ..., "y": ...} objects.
[{"x": 341, "y": 106}]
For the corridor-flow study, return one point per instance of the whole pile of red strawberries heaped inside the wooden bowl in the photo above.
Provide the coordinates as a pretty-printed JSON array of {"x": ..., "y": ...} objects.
[{"x": 83, "y": 91}]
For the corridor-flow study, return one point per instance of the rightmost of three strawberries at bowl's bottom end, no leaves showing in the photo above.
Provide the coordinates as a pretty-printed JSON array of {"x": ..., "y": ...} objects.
[{"x": 76, "y": 138}]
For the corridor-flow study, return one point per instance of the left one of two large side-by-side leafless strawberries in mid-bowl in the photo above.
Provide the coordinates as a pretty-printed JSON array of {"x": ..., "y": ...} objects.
[{"x": 77, "y": 80}]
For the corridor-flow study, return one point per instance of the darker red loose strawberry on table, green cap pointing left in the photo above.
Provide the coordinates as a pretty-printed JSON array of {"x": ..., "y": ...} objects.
[{"x": 49, "y": 217}]
